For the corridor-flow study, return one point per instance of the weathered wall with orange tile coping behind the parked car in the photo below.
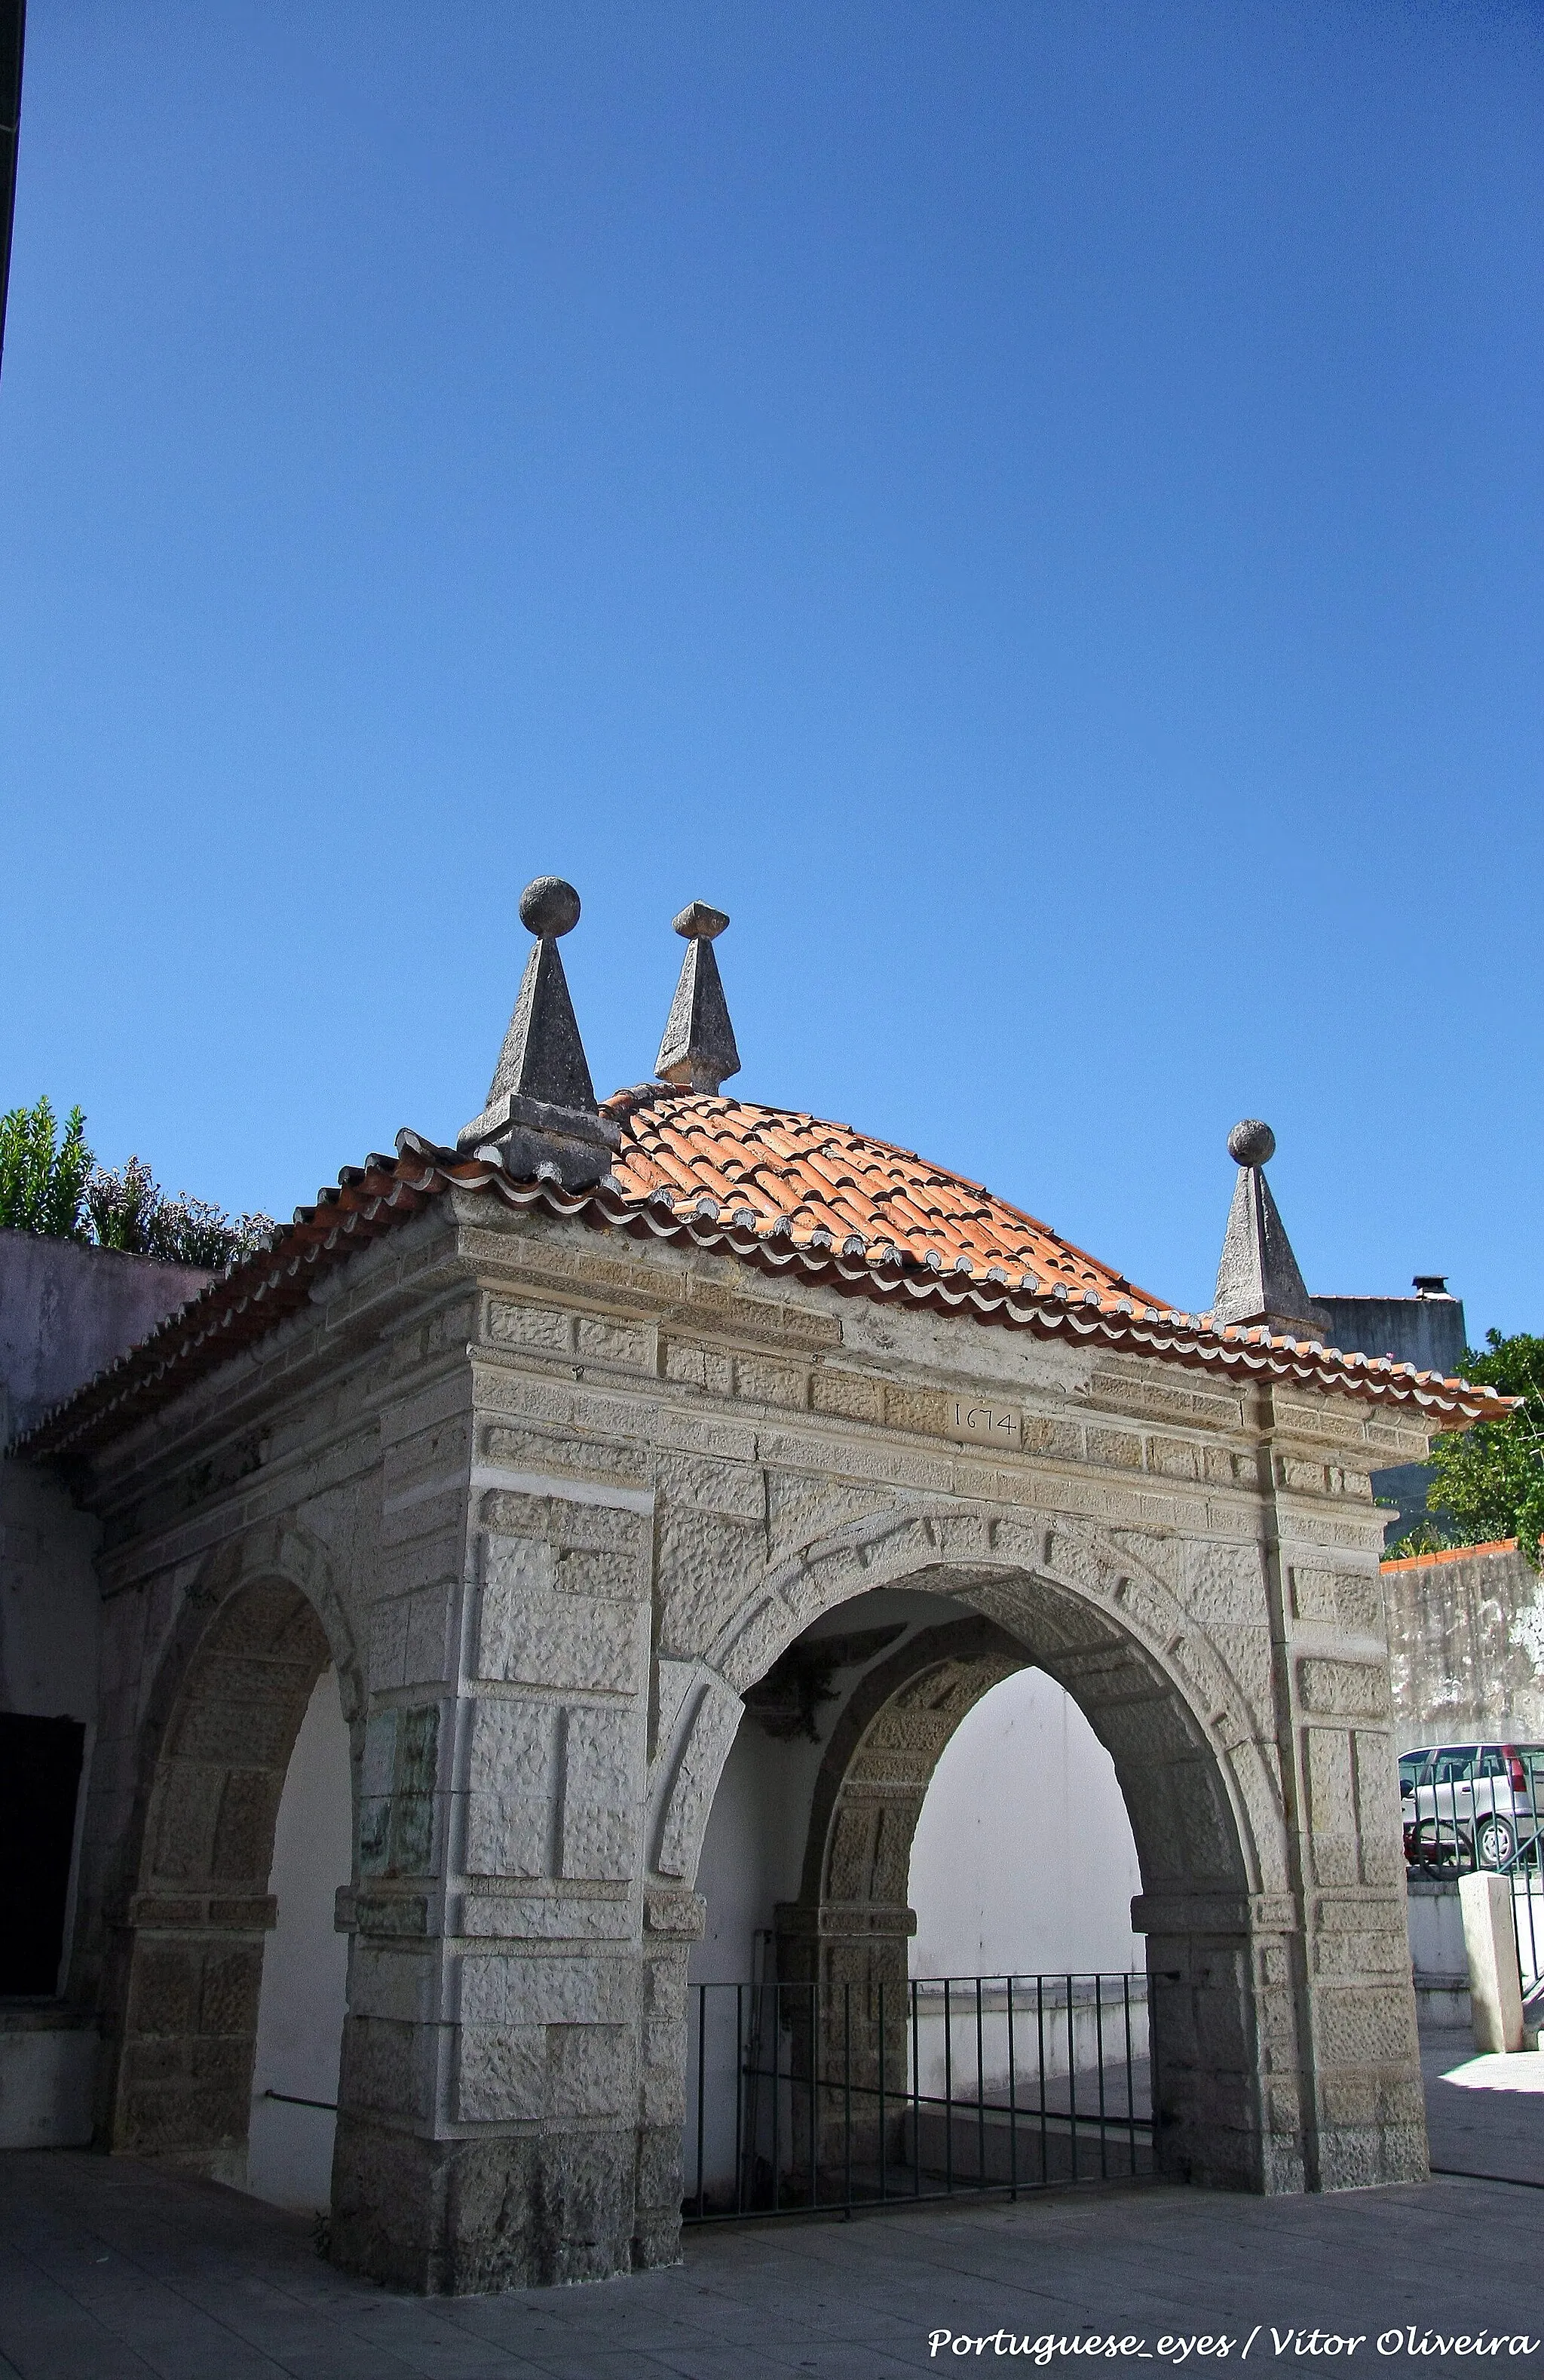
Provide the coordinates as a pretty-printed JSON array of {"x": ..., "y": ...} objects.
[{"x": 1467, "y": 1648}]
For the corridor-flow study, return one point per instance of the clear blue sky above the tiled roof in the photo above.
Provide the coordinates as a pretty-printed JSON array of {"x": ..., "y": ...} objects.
[{"x": 1031, "y": 508}]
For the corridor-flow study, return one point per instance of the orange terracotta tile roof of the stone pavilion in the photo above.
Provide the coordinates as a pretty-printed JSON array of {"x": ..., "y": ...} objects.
[{"x": 779, "y": 1191}]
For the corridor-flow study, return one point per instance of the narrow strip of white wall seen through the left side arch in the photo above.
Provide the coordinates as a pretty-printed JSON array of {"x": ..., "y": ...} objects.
[{"x": 306, "y": 1967}]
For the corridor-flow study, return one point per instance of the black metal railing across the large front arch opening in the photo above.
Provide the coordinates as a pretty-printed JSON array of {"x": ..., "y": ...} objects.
[{"x": 839, "y": 2096}]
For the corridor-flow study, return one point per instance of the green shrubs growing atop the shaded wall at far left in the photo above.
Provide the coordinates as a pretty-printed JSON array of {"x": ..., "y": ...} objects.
[{"x": 58, "y": 1191}]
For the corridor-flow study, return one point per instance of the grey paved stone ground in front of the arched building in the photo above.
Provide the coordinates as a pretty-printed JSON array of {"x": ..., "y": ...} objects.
[{"x": 113, "y": 2272}]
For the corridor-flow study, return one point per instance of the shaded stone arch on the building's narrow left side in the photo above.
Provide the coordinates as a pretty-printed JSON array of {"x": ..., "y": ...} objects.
[{"x": 215, "y": 1750}]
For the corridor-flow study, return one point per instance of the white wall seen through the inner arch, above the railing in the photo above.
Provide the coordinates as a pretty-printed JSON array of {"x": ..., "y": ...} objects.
[{"x": 1024, "y": 1858}]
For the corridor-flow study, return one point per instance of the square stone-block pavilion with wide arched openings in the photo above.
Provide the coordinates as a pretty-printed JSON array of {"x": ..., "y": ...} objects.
[{"x": 584, "y": 1474}]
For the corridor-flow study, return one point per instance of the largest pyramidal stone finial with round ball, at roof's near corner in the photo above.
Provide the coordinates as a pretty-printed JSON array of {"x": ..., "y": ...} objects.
[{"x": 541, "y": 1117}]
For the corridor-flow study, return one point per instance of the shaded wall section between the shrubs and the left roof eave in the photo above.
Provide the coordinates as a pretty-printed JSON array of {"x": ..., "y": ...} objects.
[{"x": 68, "y": 1313}]
